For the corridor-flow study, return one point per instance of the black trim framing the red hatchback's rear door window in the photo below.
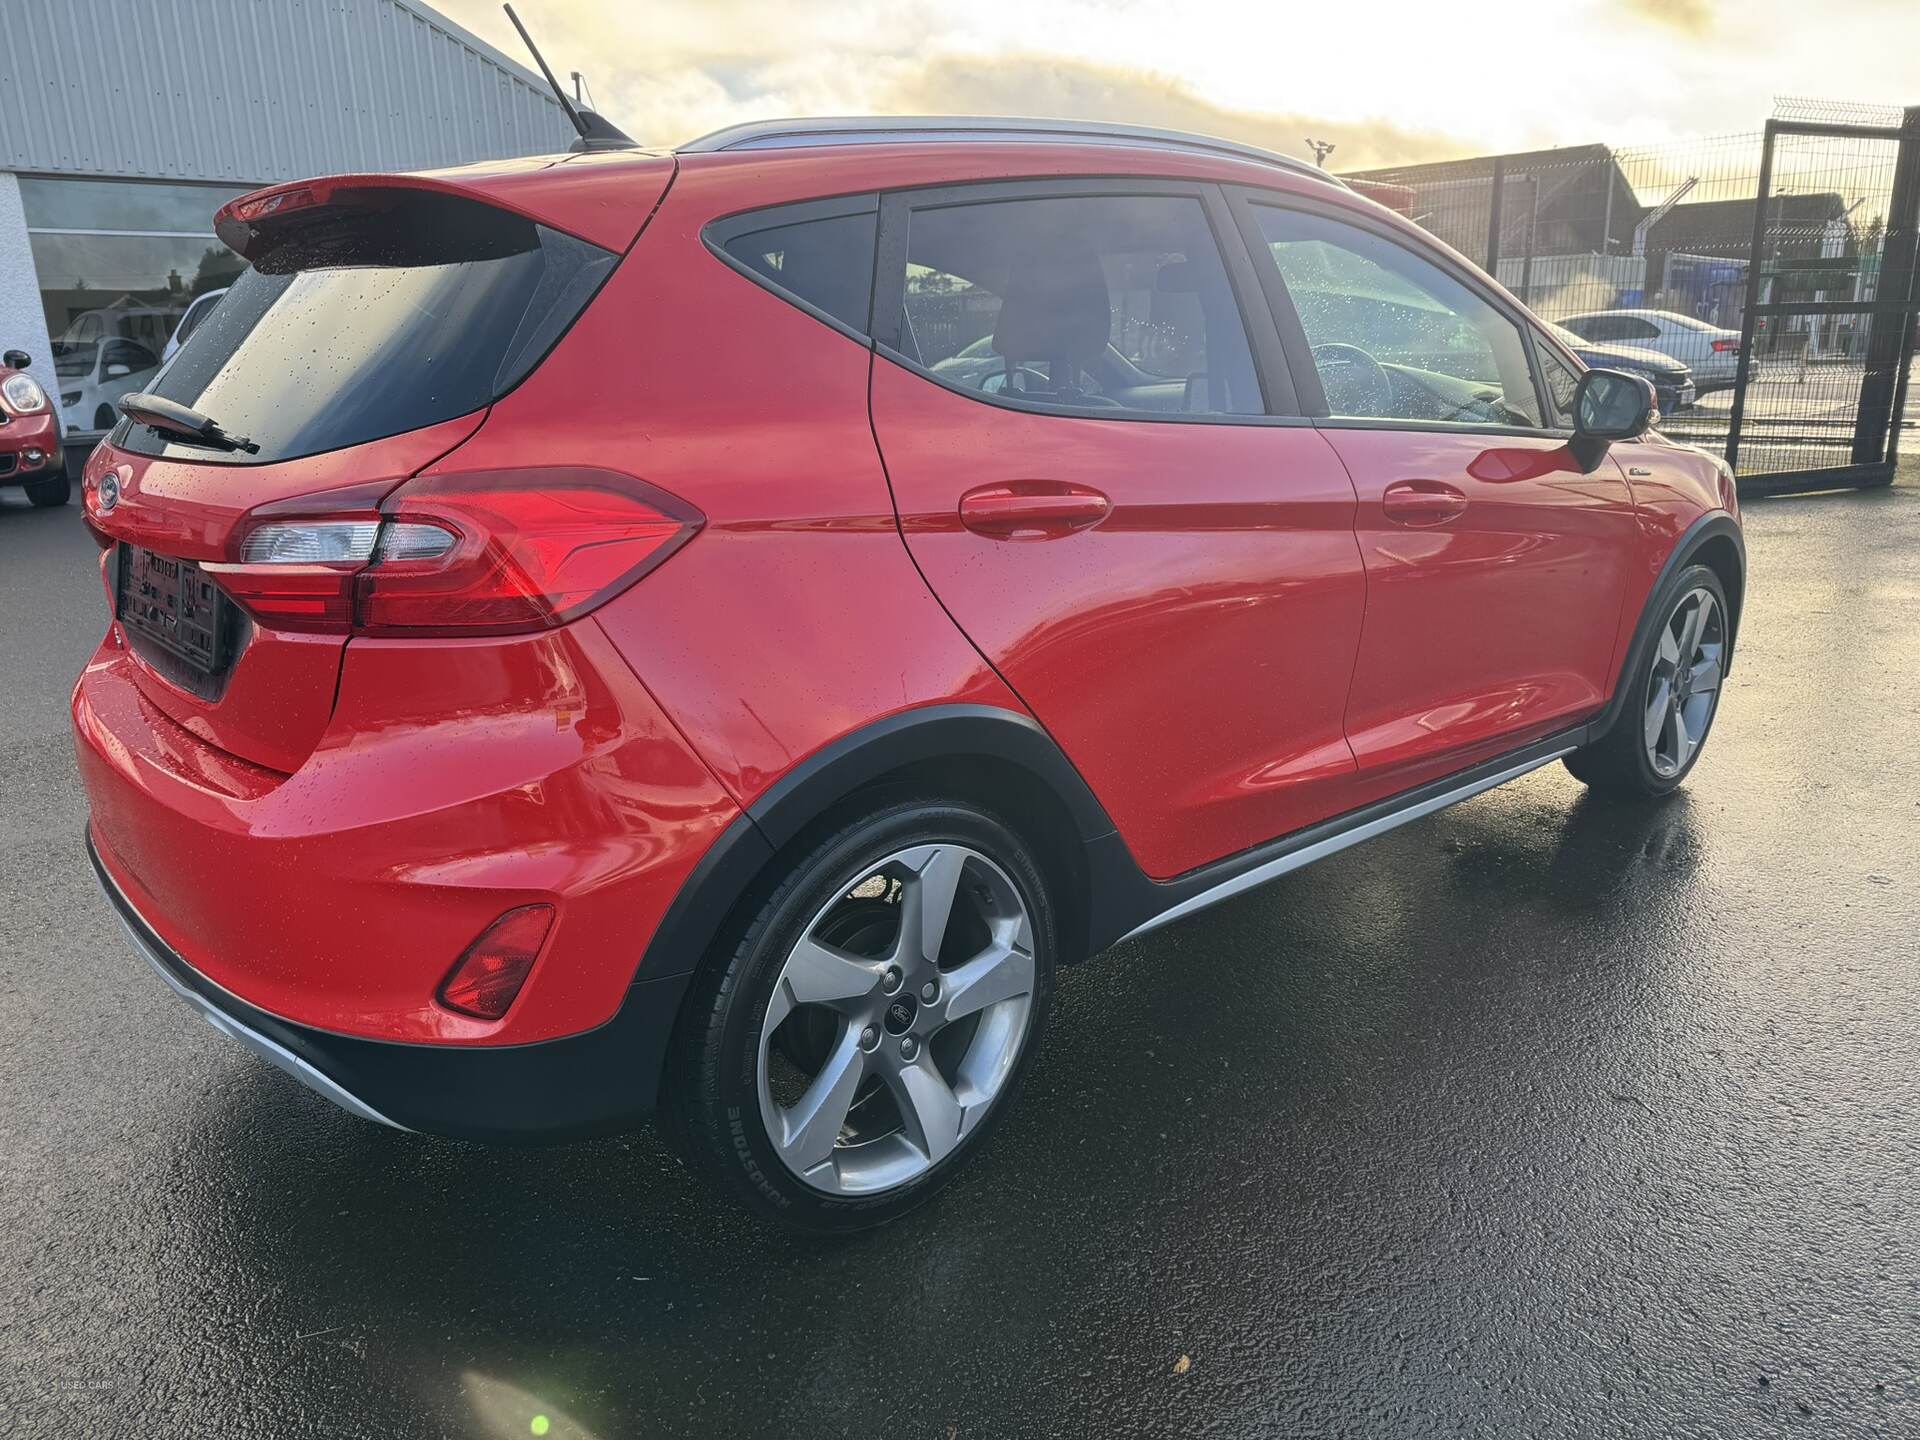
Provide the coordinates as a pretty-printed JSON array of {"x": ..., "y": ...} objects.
[{"x": 1257, "y": 322}]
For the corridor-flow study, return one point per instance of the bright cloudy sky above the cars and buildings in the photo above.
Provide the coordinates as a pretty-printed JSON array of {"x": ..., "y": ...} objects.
[{"x": 1389, "y": 82}]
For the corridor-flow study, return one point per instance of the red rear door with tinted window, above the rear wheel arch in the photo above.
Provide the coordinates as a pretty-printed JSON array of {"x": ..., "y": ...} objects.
[{"x": 1116, "y": 504}]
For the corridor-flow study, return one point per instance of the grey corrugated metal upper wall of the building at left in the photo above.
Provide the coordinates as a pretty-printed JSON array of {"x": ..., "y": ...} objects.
[{"x": 258, "y": 91}]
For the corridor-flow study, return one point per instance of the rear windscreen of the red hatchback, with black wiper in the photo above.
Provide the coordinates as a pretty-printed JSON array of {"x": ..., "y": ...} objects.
[{"x": 370, "y": 322}]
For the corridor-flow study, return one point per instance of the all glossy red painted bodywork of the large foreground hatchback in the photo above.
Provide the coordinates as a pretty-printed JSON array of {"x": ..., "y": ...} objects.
[{"x": 1245, "y": 642}]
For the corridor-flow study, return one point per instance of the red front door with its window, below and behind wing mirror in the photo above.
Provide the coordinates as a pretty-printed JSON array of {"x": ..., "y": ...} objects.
[{"x": 1497, "y": 562}]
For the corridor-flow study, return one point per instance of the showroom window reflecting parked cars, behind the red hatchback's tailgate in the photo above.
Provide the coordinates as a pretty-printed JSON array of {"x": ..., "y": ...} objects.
[{"x": 120, "y": 262}]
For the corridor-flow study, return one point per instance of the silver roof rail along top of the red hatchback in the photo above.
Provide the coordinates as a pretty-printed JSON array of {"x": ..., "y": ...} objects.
[{"x": 921, "y": 130}]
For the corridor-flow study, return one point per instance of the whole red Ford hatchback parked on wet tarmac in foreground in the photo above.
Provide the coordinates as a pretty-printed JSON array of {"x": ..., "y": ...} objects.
[{"x": 715, "y": 631}]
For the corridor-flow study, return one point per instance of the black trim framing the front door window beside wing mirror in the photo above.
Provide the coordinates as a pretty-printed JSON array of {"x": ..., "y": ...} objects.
[{"x": 1243, "y": 201}]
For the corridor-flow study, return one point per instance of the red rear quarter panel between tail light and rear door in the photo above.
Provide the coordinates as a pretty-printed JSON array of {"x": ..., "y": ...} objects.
[{"x": 796, "y": 617}]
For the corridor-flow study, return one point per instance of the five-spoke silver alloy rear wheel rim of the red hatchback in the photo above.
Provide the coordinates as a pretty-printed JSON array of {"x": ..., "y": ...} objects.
[{"x": 898, "y": 1020}]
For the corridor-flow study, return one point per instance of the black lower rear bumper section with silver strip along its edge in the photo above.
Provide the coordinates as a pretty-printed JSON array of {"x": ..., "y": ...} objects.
[{"x": 596, "y": 1084}]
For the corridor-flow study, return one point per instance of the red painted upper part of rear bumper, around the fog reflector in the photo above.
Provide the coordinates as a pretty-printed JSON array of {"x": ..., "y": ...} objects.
[{"x": 454, "y": 782}]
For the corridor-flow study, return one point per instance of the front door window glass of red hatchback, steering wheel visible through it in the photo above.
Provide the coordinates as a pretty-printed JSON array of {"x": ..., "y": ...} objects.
[{"x": 1393, "y": 335}]
